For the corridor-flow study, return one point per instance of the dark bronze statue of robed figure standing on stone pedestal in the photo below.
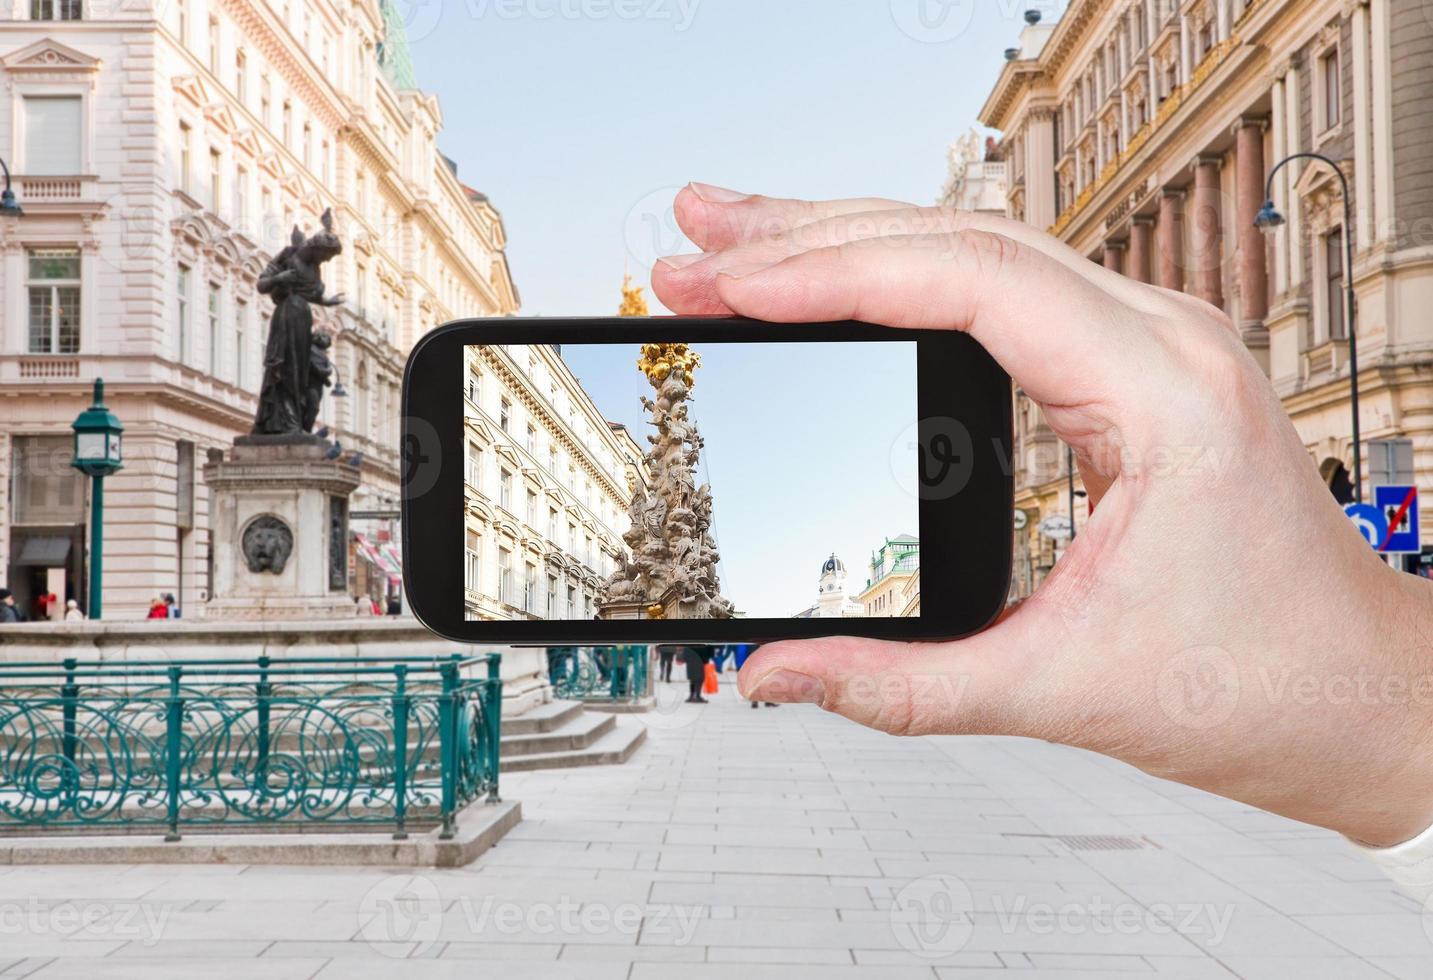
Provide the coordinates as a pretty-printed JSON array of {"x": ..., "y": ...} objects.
[{"x": 293, "y": 282}]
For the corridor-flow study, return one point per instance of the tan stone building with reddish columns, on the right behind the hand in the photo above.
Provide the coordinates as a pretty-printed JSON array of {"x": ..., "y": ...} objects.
[{"x": 1141, "y": 133}]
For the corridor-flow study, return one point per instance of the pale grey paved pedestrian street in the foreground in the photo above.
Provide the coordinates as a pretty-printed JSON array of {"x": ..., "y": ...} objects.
[{"x": 762, "y": 845}]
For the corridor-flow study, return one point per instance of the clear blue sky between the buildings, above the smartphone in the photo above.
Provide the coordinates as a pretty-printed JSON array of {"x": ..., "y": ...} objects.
[{"x": 581, "y": 121}]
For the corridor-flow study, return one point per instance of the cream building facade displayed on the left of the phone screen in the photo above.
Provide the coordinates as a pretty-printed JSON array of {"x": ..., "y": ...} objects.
[{"x": 548, "y": 488}]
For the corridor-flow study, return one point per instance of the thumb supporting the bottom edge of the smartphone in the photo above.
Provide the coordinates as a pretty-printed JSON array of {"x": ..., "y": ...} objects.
[{"x": 968, "y": 687}]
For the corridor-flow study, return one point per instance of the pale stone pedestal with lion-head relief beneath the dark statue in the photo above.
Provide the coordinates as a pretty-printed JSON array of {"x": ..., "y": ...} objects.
[{"x": 280, "y": 519}]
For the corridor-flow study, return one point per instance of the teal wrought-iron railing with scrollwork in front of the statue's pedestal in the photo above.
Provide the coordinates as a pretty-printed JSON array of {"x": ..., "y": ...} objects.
[{"x": 214, "y": 744}]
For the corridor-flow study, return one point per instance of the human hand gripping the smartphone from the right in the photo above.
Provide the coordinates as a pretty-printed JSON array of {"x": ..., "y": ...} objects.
[{"x": 1219, "y": 623}]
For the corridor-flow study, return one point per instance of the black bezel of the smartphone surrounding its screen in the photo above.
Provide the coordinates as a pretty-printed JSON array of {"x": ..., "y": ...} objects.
[{"x": 967, "y": 537}]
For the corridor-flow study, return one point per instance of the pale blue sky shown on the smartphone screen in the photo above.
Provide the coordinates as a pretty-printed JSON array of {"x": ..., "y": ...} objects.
[{"x": 803, "y": 449}]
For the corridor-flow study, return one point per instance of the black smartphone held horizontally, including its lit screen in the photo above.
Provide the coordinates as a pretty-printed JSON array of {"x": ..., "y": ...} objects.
[{"x": 650, "y": 481}]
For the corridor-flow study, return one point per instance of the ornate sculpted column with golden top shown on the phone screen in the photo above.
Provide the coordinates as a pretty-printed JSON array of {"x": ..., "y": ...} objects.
[{"x": 673, "y": 572}]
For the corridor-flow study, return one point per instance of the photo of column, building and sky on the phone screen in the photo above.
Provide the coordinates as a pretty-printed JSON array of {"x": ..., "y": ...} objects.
[{"x": 710, "y": 481}]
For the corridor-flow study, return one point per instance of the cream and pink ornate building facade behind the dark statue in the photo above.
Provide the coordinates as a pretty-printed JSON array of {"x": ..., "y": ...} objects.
[{"x": 164, "y": 151}]
